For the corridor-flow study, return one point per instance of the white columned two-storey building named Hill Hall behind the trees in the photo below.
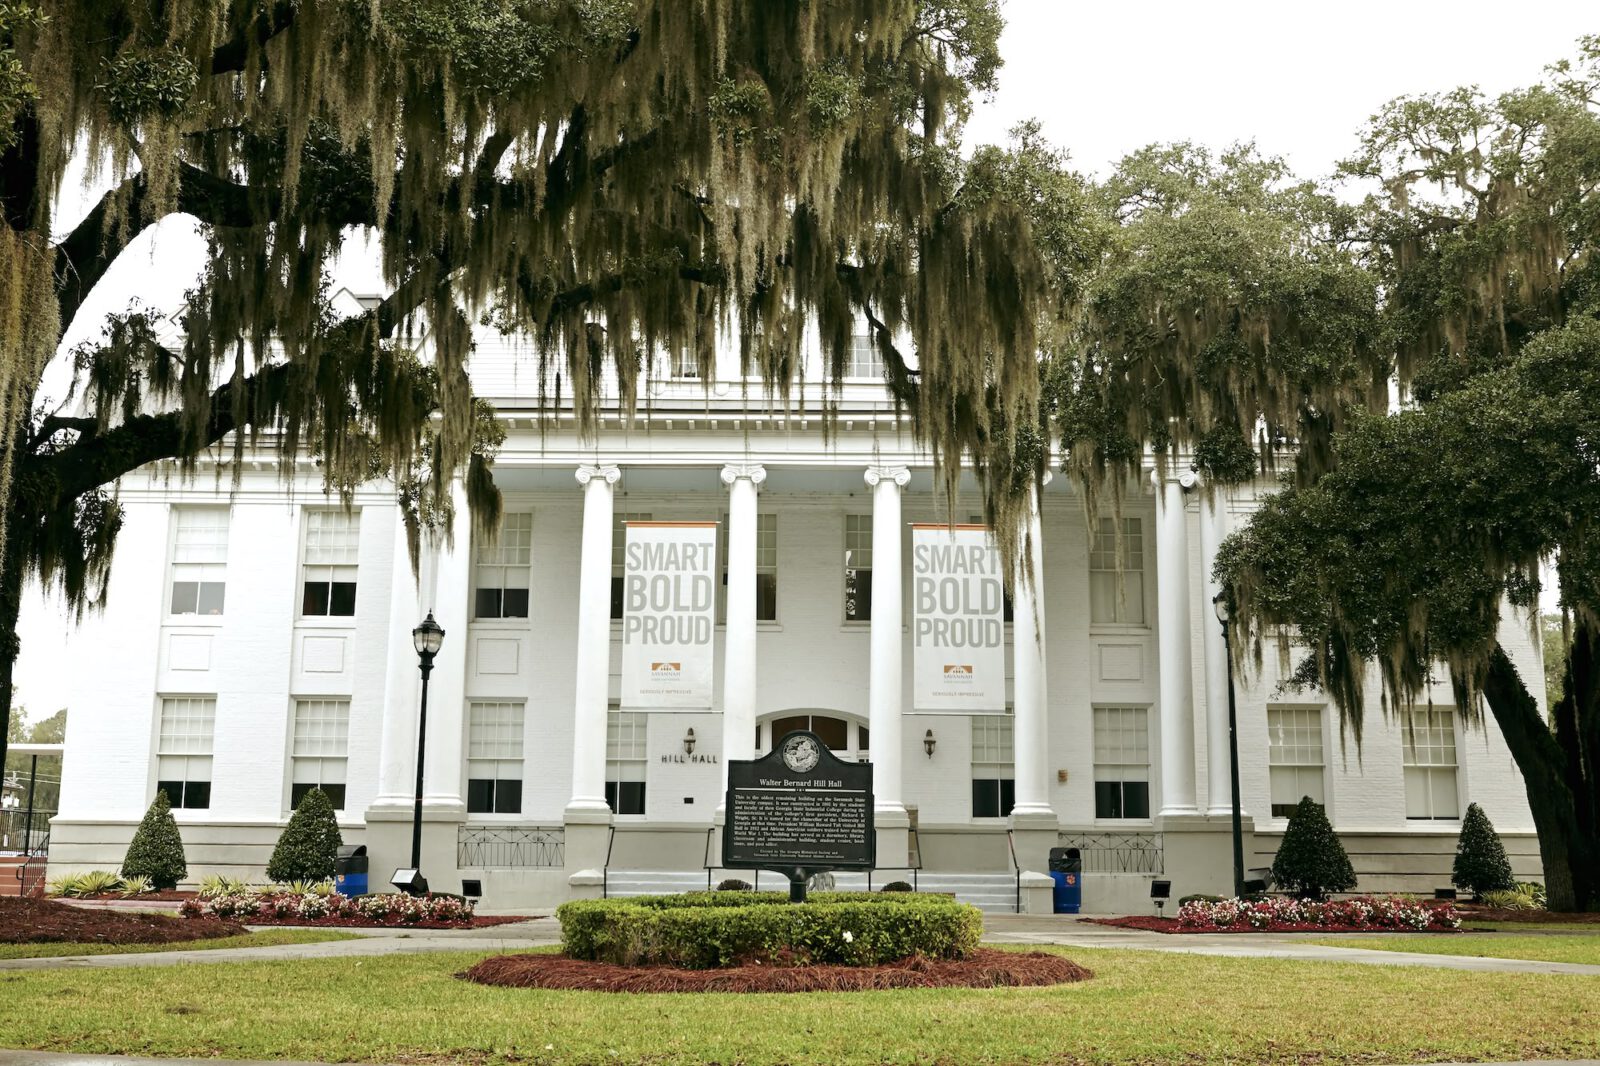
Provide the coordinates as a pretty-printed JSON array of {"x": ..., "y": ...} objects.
[{"x": 260, "y": 643}]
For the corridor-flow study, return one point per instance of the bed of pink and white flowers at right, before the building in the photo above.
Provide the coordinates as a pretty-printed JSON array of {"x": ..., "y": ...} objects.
[{"x": 1281, "y": 915}]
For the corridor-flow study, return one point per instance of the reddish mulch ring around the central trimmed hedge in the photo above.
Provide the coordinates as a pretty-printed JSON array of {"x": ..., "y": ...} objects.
[{"x": 983, "y": 969}]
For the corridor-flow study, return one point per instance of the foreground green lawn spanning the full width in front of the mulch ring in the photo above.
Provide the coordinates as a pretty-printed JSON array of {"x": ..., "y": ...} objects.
[{"x": 1142, "y": 1008}]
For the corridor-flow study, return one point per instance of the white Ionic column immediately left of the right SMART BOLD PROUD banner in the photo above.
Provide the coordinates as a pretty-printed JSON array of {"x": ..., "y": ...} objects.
[{"x": 886, "y": 676}]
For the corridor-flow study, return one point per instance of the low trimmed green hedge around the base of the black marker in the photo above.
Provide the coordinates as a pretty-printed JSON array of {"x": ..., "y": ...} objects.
[{"x": 710, "y": 931}]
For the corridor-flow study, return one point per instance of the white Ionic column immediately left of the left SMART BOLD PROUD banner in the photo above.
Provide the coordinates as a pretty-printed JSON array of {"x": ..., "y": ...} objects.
[{"x": 594, "y": 649}]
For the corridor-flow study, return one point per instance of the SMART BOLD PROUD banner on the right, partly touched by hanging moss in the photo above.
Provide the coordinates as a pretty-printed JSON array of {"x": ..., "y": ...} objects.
[{"x": 958, "y": 620}]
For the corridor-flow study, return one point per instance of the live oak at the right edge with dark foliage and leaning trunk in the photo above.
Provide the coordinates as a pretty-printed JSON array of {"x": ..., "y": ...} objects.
[{"x": 1404, "y": 555}]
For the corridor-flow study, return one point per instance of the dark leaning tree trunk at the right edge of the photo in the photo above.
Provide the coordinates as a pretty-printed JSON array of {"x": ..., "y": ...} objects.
[{"x": 1567, "y": 849}]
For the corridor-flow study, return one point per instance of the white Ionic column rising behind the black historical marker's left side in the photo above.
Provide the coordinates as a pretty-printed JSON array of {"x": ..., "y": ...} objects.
[{"x": 738, "y": 652}]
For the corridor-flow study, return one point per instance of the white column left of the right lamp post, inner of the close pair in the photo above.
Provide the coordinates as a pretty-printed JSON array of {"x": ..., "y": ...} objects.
[{"x": 1172, "y": 574}]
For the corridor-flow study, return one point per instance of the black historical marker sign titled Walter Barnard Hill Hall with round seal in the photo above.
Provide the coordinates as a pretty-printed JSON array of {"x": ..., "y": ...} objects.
[{"x": 799, "y": 811}]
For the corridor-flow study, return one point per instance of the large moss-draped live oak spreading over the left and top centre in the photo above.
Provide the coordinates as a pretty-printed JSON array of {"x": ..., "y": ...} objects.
[{"x": 620, "y": 180}]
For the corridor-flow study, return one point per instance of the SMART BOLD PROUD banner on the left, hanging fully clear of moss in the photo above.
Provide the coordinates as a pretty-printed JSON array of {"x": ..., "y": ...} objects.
[{"x": 670, "y": 612}]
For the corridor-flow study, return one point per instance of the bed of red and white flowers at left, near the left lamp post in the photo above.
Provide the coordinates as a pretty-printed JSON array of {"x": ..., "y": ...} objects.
[{"x": 287, "y": 908}]
